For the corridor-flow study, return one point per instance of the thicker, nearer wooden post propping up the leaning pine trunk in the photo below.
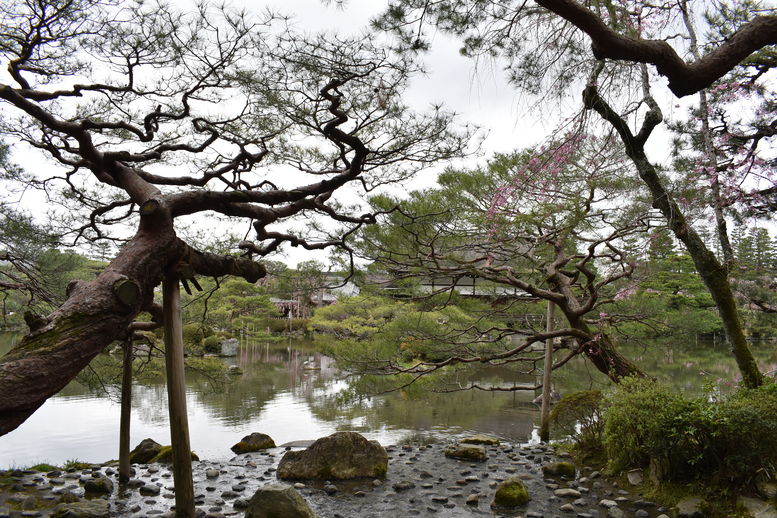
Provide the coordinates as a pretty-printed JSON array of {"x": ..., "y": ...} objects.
[{"x": 176, "y": 398}]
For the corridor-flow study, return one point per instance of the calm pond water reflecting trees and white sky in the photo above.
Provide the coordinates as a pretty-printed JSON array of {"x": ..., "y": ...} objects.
[{"x": 291, "y": 392}]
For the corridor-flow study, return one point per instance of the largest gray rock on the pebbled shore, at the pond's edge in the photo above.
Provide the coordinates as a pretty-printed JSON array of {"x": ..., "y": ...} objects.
[{"x": 340, "y": 456}]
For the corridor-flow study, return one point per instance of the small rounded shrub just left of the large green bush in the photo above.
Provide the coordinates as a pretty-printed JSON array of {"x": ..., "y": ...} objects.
[{"x": 579, "y": 416}]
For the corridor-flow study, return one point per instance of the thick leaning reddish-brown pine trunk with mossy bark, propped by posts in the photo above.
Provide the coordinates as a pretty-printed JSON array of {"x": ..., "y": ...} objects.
[{"x": 97, "y": 313}]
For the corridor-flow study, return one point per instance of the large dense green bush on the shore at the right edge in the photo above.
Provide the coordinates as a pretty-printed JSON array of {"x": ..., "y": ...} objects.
[{"x": 727, "y": 441}]
